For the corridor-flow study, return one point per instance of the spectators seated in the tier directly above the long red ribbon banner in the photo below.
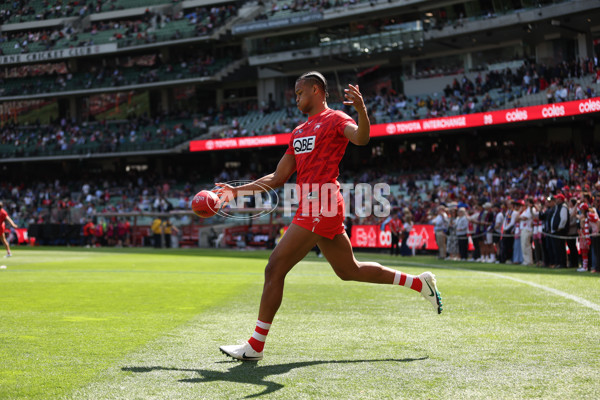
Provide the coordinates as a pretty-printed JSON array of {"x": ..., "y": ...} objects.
[{"x": 561, "y": 82}]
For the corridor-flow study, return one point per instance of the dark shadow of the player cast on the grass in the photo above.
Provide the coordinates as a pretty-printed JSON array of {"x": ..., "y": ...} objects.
[{"x": 252, "y": 373}]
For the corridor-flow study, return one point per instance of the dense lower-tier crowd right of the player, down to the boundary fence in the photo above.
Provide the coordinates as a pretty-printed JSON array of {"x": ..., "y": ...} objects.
[{"x": 507, "y": 208}]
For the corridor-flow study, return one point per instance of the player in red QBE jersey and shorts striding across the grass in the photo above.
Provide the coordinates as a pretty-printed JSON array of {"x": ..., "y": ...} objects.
[{"x": 315, "y": 150}]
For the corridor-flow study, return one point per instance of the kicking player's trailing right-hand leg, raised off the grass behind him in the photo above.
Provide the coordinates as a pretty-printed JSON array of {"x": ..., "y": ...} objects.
[{"x": 338, "y": 252}]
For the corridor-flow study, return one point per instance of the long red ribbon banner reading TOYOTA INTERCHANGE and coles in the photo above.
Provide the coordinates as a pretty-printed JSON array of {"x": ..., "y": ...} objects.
[{"x": 499, "y": 117}]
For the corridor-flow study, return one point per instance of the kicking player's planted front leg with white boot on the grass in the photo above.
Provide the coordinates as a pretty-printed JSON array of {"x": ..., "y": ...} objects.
[{"x": 295, "y": 244}]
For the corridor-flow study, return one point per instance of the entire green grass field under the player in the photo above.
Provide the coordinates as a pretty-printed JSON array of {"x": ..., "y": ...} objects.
[{"x": 143, "y": 324}]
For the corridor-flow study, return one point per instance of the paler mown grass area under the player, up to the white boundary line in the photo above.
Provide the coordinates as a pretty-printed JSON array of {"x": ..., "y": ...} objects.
[{"x": 351, "y": 340}]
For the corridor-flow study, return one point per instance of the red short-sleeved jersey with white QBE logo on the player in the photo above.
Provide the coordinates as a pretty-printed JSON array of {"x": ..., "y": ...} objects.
[{"x": 318, "y": 146}]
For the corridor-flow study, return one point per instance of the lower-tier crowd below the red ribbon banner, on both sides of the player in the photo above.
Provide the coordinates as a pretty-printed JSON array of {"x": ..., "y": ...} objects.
[{"x": 503, "y": 205}]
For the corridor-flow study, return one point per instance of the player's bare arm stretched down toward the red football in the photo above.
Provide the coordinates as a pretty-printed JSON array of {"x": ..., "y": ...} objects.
[{"x": 285, "y": 169}]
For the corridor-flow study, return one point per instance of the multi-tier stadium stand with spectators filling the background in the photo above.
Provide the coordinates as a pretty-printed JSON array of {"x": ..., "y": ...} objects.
[{"x": 90, "y": 90}]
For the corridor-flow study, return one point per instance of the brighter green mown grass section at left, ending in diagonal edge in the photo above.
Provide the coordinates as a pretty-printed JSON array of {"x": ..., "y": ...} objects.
[{"x": 60, "y": 324}]
